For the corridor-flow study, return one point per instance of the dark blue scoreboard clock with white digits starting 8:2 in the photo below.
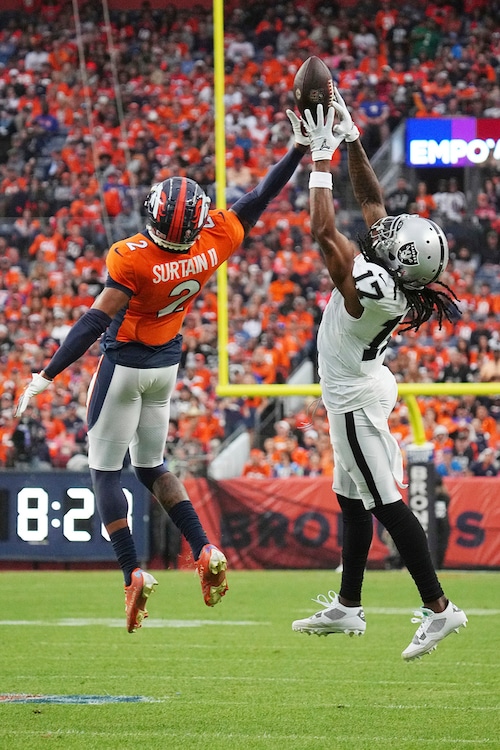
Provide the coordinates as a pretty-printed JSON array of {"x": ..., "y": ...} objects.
[{"x": 53, "y": 516}]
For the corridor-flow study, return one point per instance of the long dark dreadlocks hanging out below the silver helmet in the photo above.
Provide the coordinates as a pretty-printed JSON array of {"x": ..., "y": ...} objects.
[{"x": 423, "y": 302}]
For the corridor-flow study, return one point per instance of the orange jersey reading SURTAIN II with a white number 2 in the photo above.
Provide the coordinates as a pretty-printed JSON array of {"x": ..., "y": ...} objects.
[{"x": 164, "y": 284}]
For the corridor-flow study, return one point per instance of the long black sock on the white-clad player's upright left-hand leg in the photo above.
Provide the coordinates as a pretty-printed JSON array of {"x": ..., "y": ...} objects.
[{"x": 357, "y": 533}]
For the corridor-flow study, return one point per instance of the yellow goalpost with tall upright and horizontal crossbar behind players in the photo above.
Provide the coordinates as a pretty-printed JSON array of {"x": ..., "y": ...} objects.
[{"x": 408, "y": 391}]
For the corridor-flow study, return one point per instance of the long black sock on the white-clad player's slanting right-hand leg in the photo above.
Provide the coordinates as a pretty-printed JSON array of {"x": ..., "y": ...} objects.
[{"x": 411, "y": 541}]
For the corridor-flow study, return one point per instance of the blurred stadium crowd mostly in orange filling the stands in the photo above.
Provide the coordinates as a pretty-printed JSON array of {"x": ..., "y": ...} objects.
[{"x": 85, "y": 129}]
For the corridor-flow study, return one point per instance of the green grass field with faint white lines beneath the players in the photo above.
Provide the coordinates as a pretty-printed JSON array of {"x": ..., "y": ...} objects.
[{"x": 236, "y": 677}]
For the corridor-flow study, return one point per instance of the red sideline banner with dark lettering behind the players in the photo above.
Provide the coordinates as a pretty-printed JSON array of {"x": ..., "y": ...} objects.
[{"x": 295, "y": 523}]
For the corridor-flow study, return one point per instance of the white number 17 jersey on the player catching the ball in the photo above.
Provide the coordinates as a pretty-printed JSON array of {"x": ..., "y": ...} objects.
[{"x": 351, "y": 350}]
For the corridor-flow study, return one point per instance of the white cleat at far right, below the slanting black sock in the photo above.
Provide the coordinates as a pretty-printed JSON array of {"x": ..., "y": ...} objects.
[{"x": 434, "y": 626}]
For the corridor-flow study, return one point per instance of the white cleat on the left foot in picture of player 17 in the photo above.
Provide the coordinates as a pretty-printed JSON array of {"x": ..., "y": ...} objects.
[{"x": 334, "y": 618}]
